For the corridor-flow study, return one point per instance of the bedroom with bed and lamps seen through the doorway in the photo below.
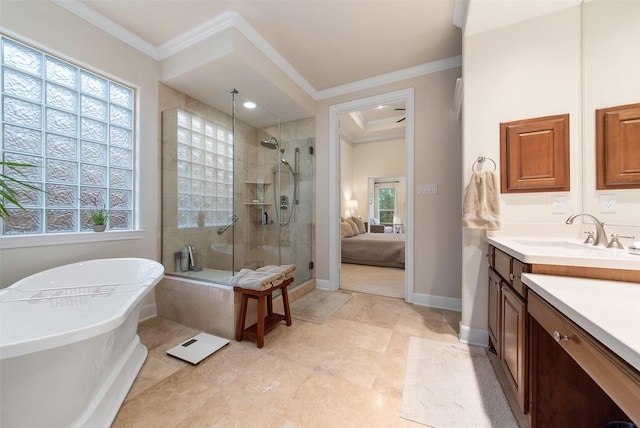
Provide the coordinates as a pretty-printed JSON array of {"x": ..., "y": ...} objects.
[{"x": 373, "y": 188}]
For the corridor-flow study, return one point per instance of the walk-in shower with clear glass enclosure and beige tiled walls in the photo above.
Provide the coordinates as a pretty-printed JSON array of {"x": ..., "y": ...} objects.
[{"x": 236, "y": 190}]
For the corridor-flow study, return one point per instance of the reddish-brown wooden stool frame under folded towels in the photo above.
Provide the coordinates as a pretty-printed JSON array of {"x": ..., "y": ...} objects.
[{"x": 266, "y": 322}]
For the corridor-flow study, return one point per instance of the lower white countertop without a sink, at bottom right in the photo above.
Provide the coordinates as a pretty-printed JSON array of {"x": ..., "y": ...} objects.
[{"x": 607, "y": 310}]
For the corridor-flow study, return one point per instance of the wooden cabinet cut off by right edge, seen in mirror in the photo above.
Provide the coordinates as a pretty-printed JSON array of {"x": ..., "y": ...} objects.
[{"x": 618, "y": 147}]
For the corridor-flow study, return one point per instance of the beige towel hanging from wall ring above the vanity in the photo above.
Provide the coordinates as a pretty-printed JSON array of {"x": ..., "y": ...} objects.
[{"x": 481, "y": 209}]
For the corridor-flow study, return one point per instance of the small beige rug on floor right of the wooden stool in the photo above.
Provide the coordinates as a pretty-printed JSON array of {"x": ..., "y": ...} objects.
[{"x": 318, "y": 306}]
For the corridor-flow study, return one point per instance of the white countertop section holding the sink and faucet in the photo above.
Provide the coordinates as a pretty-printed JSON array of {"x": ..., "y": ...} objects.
[{"x": 564, "y": 251}]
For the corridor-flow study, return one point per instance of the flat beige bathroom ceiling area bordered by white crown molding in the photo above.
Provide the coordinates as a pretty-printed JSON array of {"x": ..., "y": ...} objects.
[{"x": 329, "y": 42}]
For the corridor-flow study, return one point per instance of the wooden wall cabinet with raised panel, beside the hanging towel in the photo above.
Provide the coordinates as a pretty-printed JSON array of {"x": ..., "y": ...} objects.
[{"x": 534, "y": 155}]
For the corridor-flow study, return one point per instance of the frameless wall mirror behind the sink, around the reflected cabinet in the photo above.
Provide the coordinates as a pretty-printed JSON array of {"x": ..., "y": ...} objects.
[{"x": 611, "y": 66}]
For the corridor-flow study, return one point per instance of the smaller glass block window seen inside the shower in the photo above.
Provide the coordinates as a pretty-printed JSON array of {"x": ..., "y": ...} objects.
[{"x": 205, "y": 172}]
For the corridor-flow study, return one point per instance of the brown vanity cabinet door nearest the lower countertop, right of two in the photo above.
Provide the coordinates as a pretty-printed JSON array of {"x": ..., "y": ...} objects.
[{"x": 514, "y": 343}]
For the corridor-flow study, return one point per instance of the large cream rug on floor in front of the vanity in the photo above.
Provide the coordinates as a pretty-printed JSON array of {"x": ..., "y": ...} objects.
[{"x": 452, "y": 385}]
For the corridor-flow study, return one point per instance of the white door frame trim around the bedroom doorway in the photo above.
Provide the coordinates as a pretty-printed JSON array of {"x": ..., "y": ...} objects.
[{"x": 337, "y": 176}]
